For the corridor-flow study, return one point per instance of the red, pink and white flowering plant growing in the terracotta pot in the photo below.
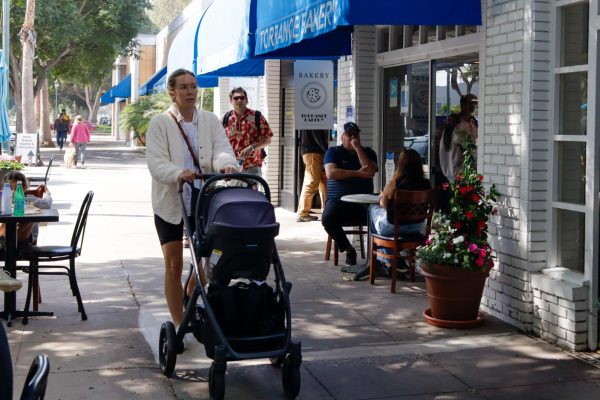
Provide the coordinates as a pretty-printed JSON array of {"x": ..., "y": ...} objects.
[{"x": 460, "y": 237}]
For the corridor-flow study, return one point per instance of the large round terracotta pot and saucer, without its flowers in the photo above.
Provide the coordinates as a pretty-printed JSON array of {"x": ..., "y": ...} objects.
[{"x": 454, "y": 295}]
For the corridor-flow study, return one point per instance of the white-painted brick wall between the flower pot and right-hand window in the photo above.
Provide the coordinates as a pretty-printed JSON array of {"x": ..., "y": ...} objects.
[{"x": 513, "y": 154}]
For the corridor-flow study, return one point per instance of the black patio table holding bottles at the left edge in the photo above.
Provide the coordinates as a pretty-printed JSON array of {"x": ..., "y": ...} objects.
[{"x": 10, "y": 255}]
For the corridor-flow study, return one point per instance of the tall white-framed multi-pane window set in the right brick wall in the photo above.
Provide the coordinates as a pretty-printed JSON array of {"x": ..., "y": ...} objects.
[{"x": 571, "y": 207}]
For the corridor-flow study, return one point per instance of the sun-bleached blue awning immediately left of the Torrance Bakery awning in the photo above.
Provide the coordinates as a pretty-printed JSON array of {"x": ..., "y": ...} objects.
[{"x": 225, "y": 42}]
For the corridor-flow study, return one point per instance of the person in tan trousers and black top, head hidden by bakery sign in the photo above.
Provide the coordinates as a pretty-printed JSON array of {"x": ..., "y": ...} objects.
[{"x": 313, "y": 145}]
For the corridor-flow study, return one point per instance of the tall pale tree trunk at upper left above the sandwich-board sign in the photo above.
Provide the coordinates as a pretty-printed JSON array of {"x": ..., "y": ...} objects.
[{"x": 28, "y": 40}]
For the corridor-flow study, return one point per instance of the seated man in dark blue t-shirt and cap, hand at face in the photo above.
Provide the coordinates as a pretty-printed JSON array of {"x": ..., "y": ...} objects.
[{"x": 350, "y": 169}]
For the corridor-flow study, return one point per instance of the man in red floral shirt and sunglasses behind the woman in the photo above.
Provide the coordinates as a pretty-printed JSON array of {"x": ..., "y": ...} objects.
[{"x": 246, "y": 138}]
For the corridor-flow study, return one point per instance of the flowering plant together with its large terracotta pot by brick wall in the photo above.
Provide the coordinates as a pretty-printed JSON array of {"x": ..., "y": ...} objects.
[{"x": 457, "y": 258}]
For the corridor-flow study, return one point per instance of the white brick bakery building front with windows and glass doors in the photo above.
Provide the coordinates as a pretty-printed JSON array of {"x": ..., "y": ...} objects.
[{"x": 529, "y": 63}]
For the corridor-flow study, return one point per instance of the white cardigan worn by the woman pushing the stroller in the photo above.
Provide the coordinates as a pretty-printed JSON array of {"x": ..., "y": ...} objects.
[{"x": 165, "y": 151}]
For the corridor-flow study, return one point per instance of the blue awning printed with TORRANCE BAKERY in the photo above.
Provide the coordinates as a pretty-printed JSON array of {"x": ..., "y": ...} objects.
[{"x": 324, "y": 26}]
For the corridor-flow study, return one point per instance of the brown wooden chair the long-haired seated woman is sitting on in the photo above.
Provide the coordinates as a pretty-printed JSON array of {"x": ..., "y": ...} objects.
[{"x": 410, "y": 206}]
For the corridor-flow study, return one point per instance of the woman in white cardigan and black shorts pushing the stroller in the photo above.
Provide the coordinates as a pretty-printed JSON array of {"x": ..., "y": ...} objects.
[{"x": 181, "y": 143}]
